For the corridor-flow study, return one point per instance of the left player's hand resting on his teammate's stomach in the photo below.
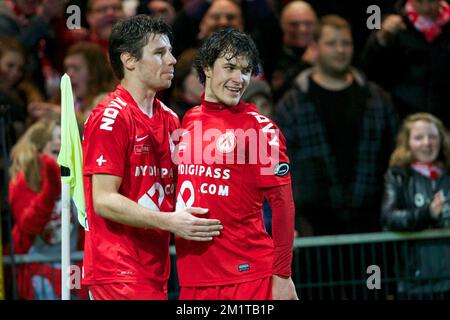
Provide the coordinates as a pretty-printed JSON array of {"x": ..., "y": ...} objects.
[{"x": 184, "y": 224}]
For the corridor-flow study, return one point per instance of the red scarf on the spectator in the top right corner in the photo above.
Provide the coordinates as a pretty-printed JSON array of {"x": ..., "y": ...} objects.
[{"x": 430, "y": 28}]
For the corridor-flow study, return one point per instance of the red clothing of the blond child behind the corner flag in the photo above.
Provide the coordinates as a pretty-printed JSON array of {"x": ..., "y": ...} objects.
[{"x": 37, "y": 227}]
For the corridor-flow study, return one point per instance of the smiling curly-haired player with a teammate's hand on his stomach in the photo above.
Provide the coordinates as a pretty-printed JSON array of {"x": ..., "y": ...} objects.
[{"x": 230, "y": 158}]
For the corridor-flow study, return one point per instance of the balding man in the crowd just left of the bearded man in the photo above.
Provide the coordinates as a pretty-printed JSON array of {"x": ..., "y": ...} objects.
[{"x": 298, "y": 50}]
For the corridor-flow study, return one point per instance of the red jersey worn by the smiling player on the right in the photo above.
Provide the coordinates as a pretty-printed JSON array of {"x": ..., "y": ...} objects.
[{"x": 226, "y": 157}]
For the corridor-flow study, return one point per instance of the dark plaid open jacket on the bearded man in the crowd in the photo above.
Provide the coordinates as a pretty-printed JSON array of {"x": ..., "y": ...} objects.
[{"x": 319, "y": 195}]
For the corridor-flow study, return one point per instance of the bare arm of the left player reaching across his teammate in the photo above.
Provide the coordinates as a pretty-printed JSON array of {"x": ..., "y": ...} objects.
[{"x": 111, "y": 205}]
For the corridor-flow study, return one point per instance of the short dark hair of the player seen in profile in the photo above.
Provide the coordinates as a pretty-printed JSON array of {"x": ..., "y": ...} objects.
[{"x": 131, "y": 35}]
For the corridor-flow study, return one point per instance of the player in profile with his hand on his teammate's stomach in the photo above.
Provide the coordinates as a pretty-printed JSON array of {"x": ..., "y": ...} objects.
[{"x": 129, "y": 176}]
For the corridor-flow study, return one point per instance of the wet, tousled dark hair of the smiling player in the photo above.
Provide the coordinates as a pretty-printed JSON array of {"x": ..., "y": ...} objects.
[{"x": 224, "y": 42}]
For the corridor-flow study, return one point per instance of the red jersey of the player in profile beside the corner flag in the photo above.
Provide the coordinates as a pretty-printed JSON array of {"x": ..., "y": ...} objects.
[{"x": 120, "y": 140}]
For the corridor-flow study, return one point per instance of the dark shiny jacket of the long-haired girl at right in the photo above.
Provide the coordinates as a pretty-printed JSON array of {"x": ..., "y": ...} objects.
[{"x": 406, "y": 207}]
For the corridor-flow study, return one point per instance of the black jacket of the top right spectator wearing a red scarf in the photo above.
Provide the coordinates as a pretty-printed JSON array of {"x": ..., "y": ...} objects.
[{"x": 415, "y": 72}]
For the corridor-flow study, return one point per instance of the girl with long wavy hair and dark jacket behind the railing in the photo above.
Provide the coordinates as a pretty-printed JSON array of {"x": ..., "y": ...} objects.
[{"x": 417, "y": 197}]
